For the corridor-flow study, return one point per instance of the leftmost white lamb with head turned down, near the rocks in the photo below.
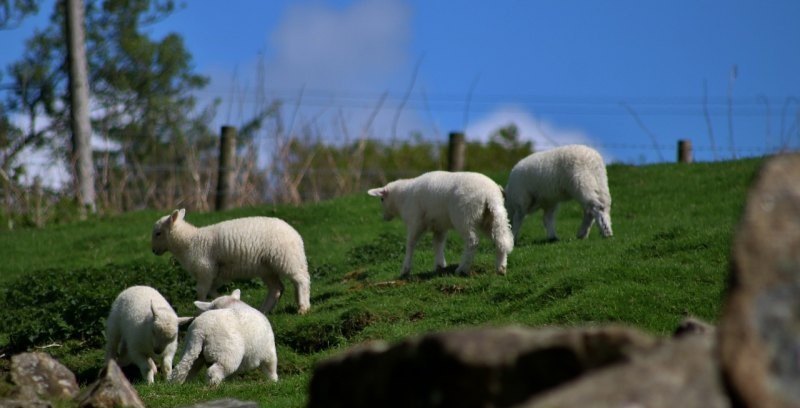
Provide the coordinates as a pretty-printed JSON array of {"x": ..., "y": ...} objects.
[{"x": 141, "y": 326}]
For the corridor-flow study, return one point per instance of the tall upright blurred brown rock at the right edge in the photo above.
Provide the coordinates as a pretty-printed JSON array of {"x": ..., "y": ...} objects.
[{"x": 759, "y": 331}]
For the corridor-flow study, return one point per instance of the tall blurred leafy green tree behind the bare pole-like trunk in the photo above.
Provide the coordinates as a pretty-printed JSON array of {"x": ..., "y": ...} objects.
[{"x": 142, "y": 103}]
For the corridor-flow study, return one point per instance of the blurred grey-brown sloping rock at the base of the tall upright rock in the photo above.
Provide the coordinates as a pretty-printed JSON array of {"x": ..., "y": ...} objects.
[{"x": 681, "y": 373}]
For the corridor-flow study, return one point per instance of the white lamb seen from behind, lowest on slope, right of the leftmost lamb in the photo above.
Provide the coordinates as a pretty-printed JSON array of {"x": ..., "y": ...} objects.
[{"x": 231, "y": 337}]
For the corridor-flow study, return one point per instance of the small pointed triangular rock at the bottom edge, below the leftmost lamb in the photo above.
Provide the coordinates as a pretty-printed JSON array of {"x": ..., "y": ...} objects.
[{"x": 111, "y": 390}]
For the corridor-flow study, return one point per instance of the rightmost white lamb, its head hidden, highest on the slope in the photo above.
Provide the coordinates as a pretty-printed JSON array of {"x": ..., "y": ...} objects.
[{"x": 543, "y": 180}]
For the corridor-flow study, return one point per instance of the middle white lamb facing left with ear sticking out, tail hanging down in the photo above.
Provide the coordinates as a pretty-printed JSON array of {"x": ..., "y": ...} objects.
[{"x": 440, "y": 201}]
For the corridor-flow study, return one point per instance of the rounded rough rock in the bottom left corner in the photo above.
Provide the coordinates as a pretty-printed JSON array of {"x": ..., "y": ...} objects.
[{"x": 39, "y": 376}]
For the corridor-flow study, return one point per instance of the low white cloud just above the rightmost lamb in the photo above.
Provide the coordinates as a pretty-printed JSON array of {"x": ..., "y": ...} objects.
[{"x": 545, "y": 135}]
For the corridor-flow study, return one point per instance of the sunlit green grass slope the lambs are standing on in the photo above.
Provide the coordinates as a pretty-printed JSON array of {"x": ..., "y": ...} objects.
[{"x": 673, "y": 226}]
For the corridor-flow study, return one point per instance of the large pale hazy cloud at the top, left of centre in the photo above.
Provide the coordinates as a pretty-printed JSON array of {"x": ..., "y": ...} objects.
[{"x": 342, "y": 58}]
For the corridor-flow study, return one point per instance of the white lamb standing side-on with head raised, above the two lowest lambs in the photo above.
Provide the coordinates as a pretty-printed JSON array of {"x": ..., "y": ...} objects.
[{"x": 253, "y": 247}]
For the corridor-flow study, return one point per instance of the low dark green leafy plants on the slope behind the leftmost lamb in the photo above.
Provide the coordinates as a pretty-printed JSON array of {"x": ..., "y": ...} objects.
[{"x": 63, "y": 305}]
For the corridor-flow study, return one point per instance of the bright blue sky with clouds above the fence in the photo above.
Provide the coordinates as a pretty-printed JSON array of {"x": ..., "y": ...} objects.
[{"x": 563, "y": 71}]
